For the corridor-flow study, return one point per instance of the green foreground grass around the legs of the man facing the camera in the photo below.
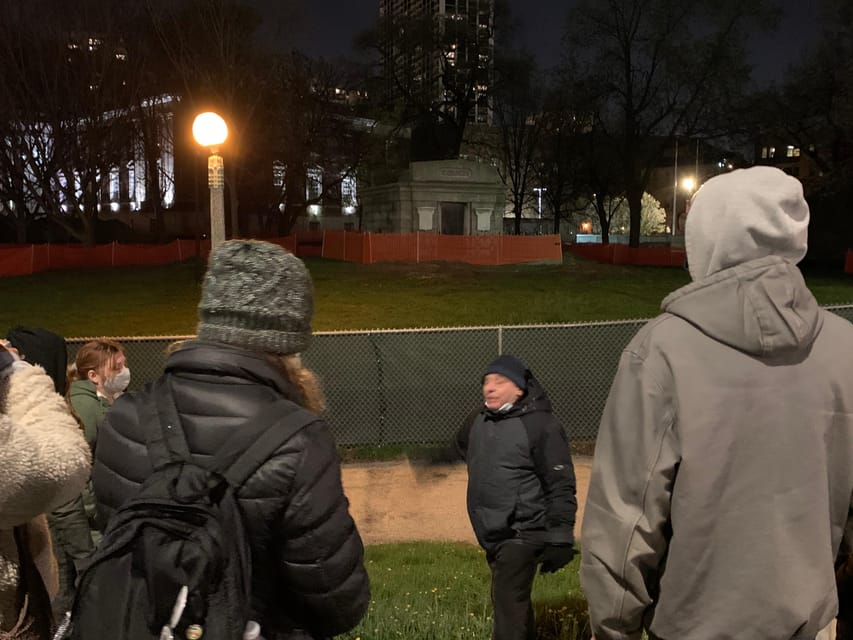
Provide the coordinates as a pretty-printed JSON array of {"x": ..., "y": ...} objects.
[{"x": 440, "y": 591}]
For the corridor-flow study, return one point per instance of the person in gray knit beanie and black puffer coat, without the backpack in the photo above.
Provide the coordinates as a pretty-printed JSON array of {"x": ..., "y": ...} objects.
[{"x": 308, "y": 575}]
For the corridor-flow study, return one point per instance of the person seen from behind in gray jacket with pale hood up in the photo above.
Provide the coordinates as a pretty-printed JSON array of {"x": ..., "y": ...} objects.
[{"x": 723, "y": 471}]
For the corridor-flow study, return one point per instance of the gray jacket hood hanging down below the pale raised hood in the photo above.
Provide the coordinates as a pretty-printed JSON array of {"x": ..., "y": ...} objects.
[{"x": 762, "y": 307}]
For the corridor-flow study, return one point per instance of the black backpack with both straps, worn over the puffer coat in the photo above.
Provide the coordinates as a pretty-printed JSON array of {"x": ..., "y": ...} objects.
[{"x": 174, "y": 561}]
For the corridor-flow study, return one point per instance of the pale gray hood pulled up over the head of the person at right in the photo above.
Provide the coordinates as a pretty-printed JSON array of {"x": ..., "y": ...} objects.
[{"x": 745, "y": 215}]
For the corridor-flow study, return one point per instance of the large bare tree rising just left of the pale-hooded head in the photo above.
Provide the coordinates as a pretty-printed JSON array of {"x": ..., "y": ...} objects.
[{"x": 663, "y": 67}]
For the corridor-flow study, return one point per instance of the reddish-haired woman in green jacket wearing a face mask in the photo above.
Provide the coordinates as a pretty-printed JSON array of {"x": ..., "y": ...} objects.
[{"x": 98, "y": 375}]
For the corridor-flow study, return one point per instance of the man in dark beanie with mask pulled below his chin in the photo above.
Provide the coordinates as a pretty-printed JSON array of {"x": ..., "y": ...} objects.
[{"x": 521, "y": 490}]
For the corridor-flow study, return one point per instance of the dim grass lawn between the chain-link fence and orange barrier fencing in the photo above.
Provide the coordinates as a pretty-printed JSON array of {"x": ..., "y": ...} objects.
[{"x": 162, "y": 300}]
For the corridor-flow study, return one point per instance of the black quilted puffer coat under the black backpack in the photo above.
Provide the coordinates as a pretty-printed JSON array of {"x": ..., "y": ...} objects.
[{"x": 307, "y": 556}]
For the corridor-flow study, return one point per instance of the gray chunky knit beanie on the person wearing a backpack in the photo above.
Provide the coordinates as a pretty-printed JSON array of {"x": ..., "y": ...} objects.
[{"x": 258, "y": 296}]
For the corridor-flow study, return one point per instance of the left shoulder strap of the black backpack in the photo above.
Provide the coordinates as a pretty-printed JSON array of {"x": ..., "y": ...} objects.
[{"x": 166, "y": 440}]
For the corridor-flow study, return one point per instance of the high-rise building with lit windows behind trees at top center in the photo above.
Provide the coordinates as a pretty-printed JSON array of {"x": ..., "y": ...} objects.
[{"x": 438, "y": 48}]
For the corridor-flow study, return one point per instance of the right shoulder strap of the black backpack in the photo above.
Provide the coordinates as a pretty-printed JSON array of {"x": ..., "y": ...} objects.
[{"x": 254, "y": 442}]
